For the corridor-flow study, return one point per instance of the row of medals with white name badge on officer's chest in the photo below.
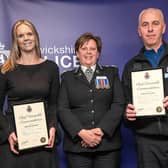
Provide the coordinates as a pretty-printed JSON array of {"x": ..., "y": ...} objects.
[{"x": 102, "y": 82}]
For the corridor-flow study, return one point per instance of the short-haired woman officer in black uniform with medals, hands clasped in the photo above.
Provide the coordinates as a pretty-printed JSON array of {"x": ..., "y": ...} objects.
[{"x": 91, "y": 108}]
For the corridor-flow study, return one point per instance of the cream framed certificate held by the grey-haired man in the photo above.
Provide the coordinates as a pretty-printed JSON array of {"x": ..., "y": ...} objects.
[{"x": 148, "y": 92}]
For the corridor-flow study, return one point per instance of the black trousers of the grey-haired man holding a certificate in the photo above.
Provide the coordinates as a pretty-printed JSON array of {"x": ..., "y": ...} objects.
[{"x": 152, "y": 151}]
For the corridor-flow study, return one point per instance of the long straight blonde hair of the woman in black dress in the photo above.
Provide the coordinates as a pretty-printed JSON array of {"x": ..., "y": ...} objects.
[{"x": 15, "y": 52}]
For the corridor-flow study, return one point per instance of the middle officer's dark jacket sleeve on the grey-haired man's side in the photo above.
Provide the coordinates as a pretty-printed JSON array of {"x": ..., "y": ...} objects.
[{"x": 112, "y": 119}]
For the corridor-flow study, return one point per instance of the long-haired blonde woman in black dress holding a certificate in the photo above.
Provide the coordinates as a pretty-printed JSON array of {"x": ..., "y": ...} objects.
[{"x": 27, "y": 78}]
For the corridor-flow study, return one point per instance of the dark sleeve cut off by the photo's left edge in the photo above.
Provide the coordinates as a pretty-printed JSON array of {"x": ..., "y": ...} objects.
[{"x": 4, "y": 127}]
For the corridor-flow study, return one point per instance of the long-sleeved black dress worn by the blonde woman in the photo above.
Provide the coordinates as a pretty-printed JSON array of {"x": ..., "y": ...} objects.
[{"x": 29, "y": 83}]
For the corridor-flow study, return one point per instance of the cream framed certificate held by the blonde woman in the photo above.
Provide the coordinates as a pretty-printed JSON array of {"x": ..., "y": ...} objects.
[{"x": 31, "y": 125}]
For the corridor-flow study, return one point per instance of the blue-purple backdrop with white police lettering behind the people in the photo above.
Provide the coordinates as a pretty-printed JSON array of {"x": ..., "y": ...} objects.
[{"x": 60, "y": 22}]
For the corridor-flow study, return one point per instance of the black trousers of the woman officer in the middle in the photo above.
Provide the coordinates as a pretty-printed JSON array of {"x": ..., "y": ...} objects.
[{"x": 94, "y": 160}]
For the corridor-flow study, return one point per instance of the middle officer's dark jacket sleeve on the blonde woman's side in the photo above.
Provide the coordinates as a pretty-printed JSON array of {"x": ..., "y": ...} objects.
[{"x": 68, "y": 120}]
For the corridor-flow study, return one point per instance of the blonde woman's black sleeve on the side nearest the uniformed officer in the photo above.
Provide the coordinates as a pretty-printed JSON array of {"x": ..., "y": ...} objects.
[{"x": 53, "y": 96}]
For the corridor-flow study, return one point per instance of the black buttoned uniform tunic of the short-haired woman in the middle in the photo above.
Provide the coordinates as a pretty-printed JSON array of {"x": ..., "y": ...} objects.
[{"x": 83, "y": 106}]
